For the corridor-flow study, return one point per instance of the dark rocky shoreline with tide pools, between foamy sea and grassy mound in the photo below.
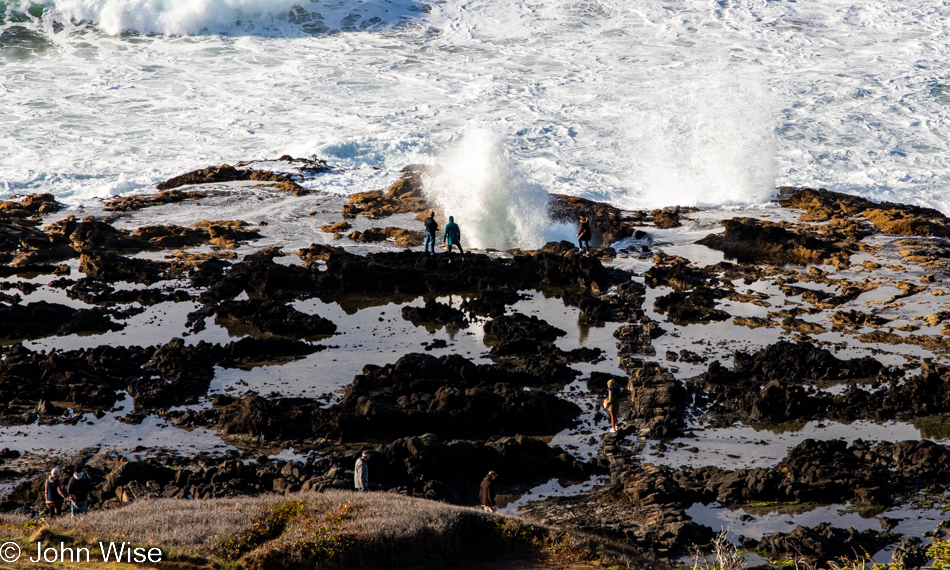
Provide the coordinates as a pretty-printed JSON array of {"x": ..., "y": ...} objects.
[{"x": 825, "y": 308}]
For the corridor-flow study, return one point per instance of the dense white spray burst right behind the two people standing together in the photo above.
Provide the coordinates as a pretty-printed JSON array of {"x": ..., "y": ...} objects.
[{"x": 495, "y": 207}]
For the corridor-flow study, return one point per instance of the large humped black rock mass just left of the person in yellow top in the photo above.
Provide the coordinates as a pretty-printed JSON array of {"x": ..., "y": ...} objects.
[{"x": 418, "y": 394}]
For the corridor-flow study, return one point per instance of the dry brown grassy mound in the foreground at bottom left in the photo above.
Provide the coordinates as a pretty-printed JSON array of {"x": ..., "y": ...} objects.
[{"x": 339, "y": 529}]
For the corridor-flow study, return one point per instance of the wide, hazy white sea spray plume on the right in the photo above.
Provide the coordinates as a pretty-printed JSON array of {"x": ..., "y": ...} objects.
[{"x": 706, "y": 141}]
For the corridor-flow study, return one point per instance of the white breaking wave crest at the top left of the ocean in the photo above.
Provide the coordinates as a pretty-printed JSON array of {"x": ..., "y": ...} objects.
[{"x": 169, "y": 17}]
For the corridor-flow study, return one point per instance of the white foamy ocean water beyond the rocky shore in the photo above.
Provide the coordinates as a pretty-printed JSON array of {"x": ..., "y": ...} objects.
[{"x": 644, "y": 104}]
